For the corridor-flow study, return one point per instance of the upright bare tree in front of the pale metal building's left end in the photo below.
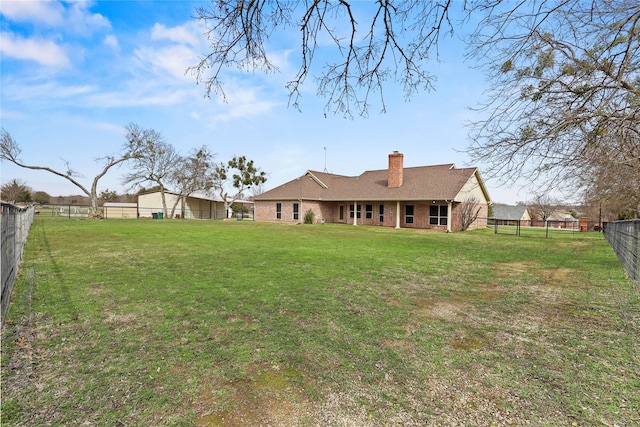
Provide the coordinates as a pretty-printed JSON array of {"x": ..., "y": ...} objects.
[{"x": 156, "y": 166}]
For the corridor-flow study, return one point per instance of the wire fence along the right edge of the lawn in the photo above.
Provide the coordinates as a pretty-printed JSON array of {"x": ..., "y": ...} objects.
[{"x": 624, "y": 238}]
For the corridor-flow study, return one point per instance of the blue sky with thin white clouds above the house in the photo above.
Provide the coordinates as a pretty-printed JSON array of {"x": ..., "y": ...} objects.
[{"x": 74, "y": 74}]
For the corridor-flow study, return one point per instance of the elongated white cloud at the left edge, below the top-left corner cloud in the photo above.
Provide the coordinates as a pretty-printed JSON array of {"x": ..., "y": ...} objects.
[{"x": 42, "y": 51}]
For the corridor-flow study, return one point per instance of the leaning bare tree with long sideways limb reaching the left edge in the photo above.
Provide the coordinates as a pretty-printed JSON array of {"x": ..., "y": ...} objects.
[{"x": 133, "y": 148}]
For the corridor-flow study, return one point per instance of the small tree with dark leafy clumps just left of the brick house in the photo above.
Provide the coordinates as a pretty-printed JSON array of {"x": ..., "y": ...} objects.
[{"x": 239, "y": 174}]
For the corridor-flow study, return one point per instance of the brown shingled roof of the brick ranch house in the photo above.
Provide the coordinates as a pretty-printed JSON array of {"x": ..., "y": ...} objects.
[{"x": 439, "y": 182}]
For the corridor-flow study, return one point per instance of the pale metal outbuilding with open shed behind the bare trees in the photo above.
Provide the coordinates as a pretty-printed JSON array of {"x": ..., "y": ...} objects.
[{"x": 195, "y": 206}]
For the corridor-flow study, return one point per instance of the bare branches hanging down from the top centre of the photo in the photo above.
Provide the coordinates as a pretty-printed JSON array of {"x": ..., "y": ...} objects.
[{"x": 398, "y": 40}]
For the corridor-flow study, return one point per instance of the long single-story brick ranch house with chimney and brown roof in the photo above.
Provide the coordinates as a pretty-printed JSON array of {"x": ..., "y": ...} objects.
[{"x": 415, "y": 197}]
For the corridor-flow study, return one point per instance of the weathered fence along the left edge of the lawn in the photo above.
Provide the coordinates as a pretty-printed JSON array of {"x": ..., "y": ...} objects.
[{"x": 16, "y": 222}]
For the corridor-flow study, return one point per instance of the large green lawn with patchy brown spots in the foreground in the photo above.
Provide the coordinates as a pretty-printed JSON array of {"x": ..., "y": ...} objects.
[{"x": 231, "y": 323}]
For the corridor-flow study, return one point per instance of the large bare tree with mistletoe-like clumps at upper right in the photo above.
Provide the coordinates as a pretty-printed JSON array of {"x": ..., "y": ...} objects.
[{"x": 565, "y": 79}]
